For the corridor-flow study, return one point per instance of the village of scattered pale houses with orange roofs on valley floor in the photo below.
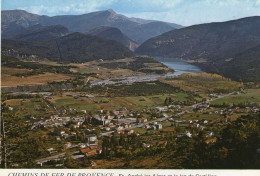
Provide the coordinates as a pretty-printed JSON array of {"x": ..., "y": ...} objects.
[{"x": 82, "y": 133}]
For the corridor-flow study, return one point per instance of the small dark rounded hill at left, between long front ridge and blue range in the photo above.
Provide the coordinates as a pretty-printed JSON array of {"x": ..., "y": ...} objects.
[{"x": 40, "y": 33}]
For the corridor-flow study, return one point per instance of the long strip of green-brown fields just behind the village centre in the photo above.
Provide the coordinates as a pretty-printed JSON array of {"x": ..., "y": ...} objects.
[{"x": 114, "y": 103}]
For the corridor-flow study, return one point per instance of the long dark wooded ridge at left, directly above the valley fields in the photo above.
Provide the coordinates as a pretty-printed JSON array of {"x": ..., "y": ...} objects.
[{"x": 75, "y": 47}]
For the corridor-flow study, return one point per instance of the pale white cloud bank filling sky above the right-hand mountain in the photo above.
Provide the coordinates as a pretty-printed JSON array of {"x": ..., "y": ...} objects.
[{"x": 203, "y": 11}]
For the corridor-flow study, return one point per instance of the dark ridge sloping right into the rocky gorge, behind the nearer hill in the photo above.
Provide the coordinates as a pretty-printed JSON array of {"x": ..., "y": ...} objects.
[{"x": 113, "y": 34}]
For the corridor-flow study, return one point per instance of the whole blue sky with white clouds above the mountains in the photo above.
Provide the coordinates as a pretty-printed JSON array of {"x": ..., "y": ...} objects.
[{"x": 183, "y": 12}]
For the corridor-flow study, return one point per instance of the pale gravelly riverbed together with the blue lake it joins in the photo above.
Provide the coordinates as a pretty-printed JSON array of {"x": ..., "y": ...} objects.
[{"x": 178, "y": 66}]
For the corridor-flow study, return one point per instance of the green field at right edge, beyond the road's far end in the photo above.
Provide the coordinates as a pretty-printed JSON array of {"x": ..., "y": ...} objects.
[{"x": 251, "y": 96}]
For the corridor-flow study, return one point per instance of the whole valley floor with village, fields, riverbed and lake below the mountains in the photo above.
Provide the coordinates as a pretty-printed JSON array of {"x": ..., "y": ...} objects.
[{"x": 135, "y": 119}]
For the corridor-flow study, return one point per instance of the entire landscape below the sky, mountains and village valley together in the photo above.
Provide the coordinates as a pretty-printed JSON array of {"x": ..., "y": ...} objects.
[{"x": 105, "y": 91}]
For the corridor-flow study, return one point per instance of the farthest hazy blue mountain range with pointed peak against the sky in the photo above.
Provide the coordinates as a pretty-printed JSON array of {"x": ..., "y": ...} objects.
[{"x": 136, "y": 30}]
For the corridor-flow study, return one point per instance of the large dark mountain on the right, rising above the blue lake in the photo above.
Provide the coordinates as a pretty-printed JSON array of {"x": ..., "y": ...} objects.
[{"x": 212, "y": 46}]
